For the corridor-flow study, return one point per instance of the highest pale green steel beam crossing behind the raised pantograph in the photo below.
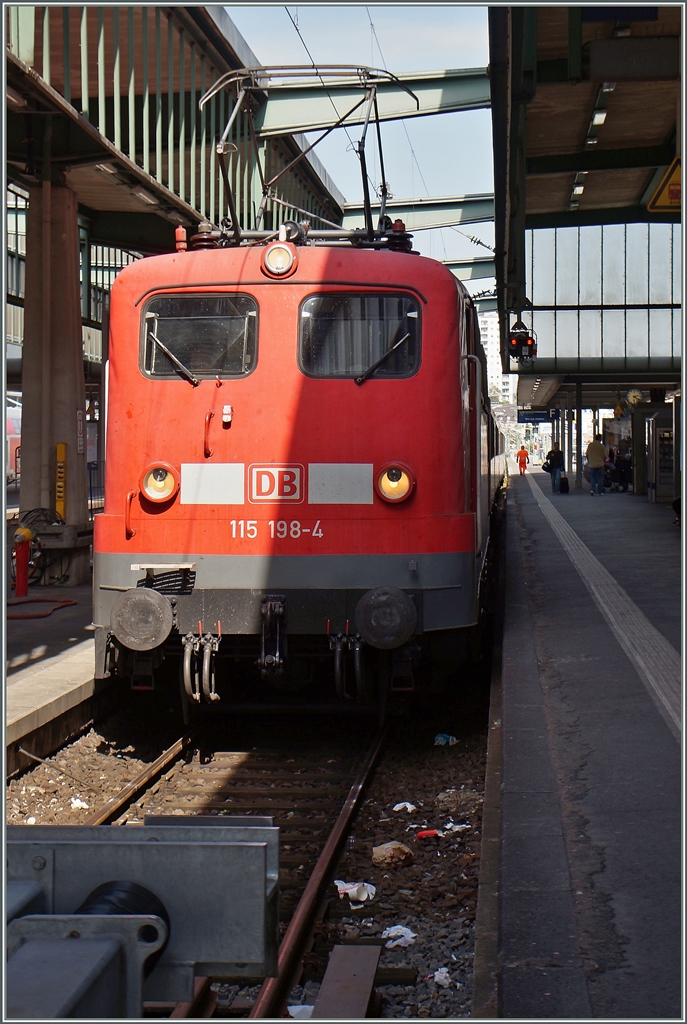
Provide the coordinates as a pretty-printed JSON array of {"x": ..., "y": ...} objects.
[{"x": 293, "y": 109}]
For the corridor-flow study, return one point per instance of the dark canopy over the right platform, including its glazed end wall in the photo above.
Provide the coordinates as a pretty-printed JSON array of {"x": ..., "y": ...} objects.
[{"x": 586, "y": 113}]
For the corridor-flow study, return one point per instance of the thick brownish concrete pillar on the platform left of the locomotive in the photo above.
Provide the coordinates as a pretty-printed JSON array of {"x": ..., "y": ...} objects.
[{"x": 53, "y": 375}]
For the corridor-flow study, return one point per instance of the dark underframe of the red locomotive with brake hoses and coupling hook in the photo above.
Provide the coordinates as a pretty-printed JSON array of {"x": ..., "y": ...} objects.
[{"x": 274, "y": 630}]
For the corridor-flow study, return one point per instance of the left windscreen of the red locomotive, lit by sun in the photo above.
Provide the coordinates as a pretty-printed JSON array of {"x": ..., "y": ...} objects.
[{"x": 200, "y": 336}]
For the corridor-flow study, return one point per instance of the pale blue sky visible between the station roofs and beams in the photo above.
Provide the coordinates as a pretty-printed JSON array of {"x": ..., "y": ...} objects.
[{"x": 445, "y": 155}]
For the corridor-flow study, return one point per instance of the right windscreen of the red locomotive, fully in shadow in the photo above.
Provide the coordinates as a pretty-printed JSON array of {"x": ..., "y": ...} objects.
[{"x": 360, "y": 336}]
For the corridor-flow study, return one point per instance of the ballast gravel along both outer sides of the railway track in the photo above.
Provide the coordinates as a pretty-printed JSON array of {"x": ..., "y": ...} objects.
[{"x": 435, "y": 897}]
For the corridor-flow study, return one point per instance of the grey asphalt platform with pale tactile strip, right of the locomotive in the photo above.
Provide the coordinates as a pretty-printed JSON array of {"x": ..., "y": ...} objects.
[{"x": 586, "y": 786}]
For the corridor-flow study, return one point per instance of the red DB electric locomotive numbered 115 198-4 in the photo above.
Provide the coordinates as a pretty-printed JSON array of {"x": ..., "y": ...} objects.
[{"x": 300, "y": 467}]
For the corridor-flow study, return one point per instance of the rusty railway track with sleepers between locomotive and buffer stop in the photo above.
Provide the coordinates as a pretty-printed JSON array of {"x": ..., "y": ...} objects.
[{"x": 312, "y": 797}]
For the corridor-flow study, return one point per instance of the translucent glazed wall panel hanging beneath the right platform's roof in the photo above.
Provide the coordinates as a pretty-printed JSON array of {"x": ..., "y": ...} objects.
[{"x": 606, "y": 298}]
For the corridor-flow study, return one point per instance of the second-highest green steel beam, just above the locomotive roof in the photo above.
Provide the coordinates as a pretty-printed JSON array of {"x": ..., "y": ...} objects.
[{"x": 422, "y": 215}]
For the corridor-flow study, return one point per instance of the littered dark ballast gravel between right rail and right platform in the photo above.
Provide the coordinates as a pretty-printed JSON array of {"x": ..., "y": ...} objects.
[{"x": 437, "y": 895}]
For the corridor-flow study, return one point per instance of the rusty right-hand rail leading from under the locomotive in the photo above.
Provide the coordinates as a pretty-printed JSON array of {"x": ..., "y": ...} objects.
[{"x": 275, "y": 991}]
